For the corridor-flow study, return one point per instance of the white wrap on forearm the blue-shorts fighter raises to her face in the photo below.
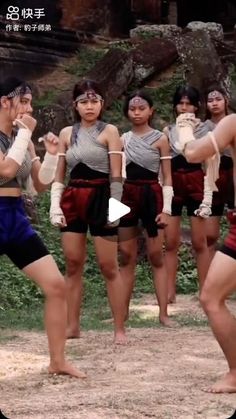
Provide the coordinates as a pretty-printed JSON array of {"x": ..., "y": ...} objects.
[{"x": 19, "y": 147}]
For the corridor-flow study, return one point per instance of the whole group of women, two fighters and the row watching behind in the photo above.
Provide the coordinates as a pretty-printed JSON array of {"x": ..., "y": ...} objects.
[{"x": 143, "y": 168}]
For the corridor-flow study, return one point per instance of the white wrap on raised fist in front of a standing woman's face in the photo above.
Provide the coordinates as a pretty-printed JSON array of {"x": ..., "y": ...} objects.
[{"x": 185, "y": 124}]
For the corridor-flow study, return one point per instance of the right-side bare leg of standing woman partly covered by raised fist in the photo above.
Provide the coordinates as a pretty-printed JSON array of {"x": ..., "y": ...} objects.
[{"x": 199, "y": 243}]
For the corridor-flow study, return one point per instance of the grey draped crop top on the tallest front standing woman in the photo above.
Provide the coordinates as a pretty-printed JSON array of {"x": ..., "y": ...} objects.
[{"x": 86, "y": 149}]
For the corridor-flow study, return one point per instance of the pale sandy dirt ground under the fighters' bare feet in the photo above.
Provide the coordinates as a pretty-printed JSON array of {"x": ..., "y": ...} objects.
[{"x": 159, "y": 374}]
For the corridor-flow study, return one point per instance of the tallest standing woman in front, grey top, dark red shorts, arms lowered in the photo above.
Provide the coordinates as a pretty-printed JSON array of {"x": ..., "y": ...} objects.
[{"x": 91, "y": 150}]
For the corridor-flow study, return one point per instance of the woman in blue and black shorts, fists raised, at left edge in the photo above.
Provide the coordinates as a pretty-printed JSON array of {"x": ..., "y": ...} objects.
[{"x": 17, "y": 238}]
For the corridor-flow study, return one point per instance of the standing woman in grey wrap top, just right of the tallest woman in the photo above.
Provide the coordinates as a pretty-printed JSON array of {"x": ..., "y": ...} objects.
[{"x": 146, "y": 150}]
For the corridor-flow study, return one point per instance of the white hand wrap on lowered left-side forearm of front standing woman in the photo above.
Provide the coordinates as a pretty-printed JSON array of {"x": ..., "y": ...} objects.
[{"x": 56, "y": 214}]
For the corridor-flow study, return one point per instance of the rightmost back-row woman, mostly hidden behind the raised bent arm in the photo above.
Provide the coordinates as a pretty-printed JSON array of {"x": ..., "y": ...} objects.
[{"x": 216, "y": 103}]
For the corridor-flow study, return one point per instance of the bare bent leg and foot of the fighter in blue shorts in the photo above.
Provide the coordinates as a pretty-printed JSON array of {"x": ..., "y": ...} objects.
[{"x": 53, "y": 286}]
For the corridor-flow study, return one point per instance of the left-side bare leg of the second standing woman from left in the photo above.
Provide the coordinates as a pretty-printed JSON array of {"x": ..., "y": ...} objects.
[{"x": 128, "y": 252}]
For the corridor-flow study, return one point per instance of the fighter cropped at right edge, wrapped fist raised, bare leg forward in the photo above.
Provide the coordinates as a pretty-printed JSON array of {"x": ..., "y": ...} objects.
[{"x": 221, "y": 277}]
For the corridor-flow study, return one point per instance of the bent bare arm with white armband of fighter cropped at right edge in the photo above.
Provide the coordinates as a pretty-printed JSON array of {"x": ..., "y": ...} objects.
[{"x": 202, "y": 149}]
